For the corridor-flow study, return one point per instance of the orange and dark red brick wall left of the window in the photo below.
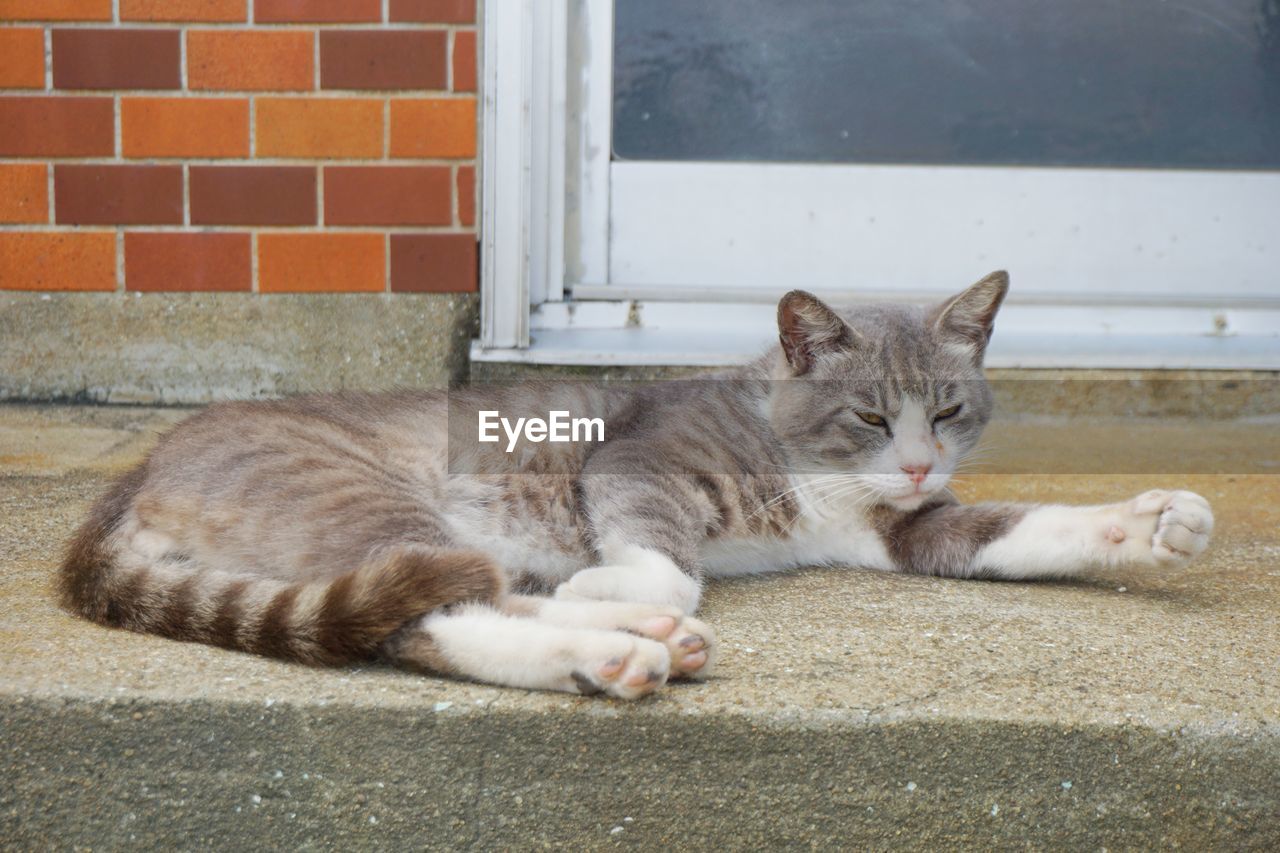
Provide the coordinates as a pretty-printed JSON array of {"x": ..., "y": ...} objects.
[{"x": 239, "y": 145}]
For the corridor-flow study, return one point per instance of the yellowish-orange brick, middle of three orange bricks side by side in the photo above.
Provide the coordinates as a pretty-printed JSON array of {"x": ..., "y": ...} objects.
[{"x": 322, "y": 127}]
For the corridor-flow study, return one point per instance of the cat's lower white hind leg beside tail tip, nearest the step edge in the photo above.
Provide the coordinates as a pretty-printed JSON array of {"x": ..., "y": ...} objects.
[{"x": 479, "y": 644}]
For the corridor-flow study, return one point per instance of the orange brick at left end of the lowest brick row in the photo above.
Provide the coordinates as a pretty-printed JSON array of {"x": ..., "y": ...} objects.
[{"x": 81, "y": 261}]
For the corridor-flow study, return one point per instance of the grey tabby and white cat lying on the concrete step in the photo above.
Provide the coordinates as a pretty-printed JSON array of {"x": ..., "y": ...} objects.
[{"x": 339, "y": 528}]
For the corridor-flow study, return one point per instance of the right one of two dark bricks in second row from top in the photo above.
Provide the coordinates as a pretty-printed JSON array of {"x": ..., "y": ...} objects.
[{"x": 374, "y": 60}]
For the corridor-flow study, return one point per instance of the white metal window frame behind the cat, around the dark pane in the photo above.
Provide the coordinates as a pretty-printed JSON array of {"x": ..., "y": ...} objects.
[{"x": 555, "y": 291}]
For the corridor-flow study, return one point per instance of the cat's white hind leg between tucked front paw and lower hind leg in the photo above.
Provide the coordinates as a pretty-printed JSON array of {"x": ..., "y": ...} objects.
[{"x": 692, "y": 644}]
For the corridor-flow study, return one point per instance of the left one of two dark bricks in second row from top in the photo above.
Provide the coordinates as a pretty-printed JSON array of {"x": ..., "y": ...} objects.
[{"x": 117, "y": 60}]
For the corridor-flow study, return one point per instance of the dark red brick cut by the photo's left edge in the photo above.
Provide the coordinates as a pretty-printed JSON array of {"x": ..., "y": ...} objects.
[{"x": 57, "y": 127}]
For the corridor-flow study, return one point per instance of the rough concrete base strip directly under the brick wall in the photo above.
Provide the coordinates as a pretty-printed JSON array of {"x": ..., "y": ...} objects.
[{"x": 198, "y": 348}]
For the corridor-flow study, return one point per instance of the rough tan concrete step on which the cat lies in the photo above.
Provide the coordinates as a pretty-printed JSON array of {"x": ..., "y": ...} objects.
[{"x": 853, "y": 709}]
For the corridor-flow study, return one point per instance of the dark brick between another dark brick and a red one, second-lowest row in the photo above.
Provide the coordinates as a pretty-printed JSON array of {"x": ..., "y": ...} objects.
[{"x": 253, "y": 197}]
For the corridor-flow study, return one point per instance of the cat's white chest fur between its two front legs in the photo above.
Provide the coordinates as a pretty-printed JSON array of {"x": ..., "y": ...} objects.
[{"x": 813, "y": 542}]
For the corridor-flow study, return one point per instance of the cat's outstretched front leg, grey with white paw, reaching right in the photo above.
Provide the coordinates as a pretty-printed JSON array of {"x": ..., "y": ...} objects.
[{"x": 1016, "y": 542}]
